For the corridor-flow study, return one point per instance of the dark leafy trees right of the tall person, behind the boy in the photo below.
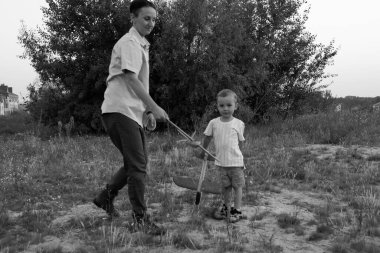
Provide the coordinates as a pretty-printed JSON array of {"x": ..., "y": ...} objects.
[{"x": 258, "y": 48}]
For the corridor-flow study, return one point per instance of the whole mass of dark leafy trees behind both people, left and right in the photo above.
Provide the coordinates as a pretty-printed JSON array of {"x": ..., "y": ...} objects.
[{"x": 260, "y": 49}]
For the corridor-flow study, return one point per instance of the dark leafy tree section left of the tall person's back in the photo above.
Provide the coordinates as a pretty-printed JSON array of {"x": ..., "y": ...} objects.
[{"x": 71, "y": 54}]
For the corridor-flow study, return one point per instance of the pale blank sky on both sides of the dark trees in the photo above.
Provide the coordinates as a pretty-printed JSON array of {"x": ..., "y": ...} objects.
[{"x": 353, "y": 25}]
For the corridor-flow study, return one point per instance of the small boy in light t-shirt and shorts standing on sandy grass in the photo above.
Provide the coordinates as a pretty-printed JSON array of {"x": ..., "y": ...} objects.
[{"x": 227, "y": 132}]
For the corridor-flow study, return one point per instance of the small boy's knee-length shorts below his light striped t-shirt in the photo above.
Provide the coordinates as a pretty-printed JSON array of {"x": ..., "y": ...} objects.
[{"x": 231, "y": 176}]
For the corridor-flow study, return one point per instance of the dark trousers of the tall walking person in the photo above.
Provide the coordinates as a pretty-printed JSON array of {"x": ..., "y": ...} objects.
[{"x": 129, "y": 137}]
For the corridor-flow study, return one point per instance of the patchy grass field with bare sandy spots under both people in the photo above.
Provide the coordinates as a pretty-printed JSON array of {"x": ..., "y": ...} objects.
[{"x": 312, "y": 185}]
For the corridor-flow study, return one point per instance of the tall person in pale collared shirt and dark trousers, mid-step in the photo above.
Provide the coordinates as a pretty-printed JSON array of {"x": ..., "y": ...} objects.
[{"x": 127, "y": 104}]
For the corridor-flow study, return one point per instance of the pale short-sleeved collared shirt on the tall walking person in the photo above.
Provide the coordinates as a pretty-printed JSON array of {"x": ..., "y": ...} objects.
[{"x": 129, "y": 53}]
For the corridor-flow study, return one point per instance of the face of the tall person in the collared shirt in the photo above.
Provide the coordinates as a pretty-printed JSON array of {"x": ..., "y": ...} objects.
[{"x": 145, "y": 20}]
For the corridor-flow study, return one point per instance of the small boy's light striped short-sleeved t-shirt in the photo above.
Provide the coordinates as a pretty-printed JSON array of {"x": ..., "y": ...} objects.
[{"x": 226, "y": 137}]
